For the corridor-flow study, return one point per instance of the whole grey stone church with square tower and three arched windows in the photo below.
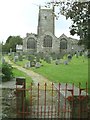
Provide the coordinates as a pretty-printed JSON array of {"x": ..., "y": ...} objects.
[{"x": 45, "y": 40}]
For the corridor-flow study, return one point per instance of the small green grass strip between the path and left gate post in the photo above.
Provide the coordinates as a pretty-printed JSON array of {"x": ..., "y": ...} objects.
[{"x": 18, "y": 73}]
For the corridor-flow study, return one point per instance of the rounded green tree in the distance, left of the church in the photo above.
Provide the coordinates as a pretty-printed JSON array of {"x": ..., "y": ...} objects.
[{"x": 11, "y": 42}]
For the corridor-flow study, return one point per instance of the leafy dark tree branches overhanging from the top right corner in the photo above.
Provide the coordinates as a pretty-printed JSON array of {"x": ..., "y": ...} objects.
[{"x": 78, "y": 12}]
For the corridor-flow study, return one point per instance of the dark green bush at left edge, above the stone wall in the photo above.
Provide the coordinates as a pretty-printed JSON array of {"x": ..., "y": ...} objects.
[{"x": 7, "y": 72}]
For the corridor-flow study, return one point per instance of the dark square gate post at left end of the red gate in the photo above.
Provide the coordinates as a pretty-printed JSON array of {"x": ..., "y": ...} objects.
[{"x": 20, "y": 95}]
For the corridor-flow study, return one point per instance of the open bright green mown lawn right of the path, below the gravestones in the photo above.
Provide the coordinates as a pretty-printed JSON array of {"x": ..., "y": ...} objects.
[{"x": 76, "y": 71}]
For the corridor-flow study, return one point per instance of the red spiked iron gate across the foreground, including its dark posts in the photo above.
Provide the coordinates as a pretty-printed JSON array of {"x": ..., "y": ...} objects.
[{"x": 52, "y": 101}]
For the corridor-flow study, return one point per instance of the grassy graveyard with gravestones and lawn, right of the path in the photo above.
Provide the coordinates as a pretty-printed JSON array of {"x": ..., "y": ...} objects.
[{"x": 75, "y": 71}]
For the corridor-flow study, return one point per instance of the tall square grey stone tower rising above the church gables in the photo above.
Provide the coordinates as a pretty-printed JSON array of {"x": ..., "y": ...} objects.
[{"x": 45, "y": 21}]
